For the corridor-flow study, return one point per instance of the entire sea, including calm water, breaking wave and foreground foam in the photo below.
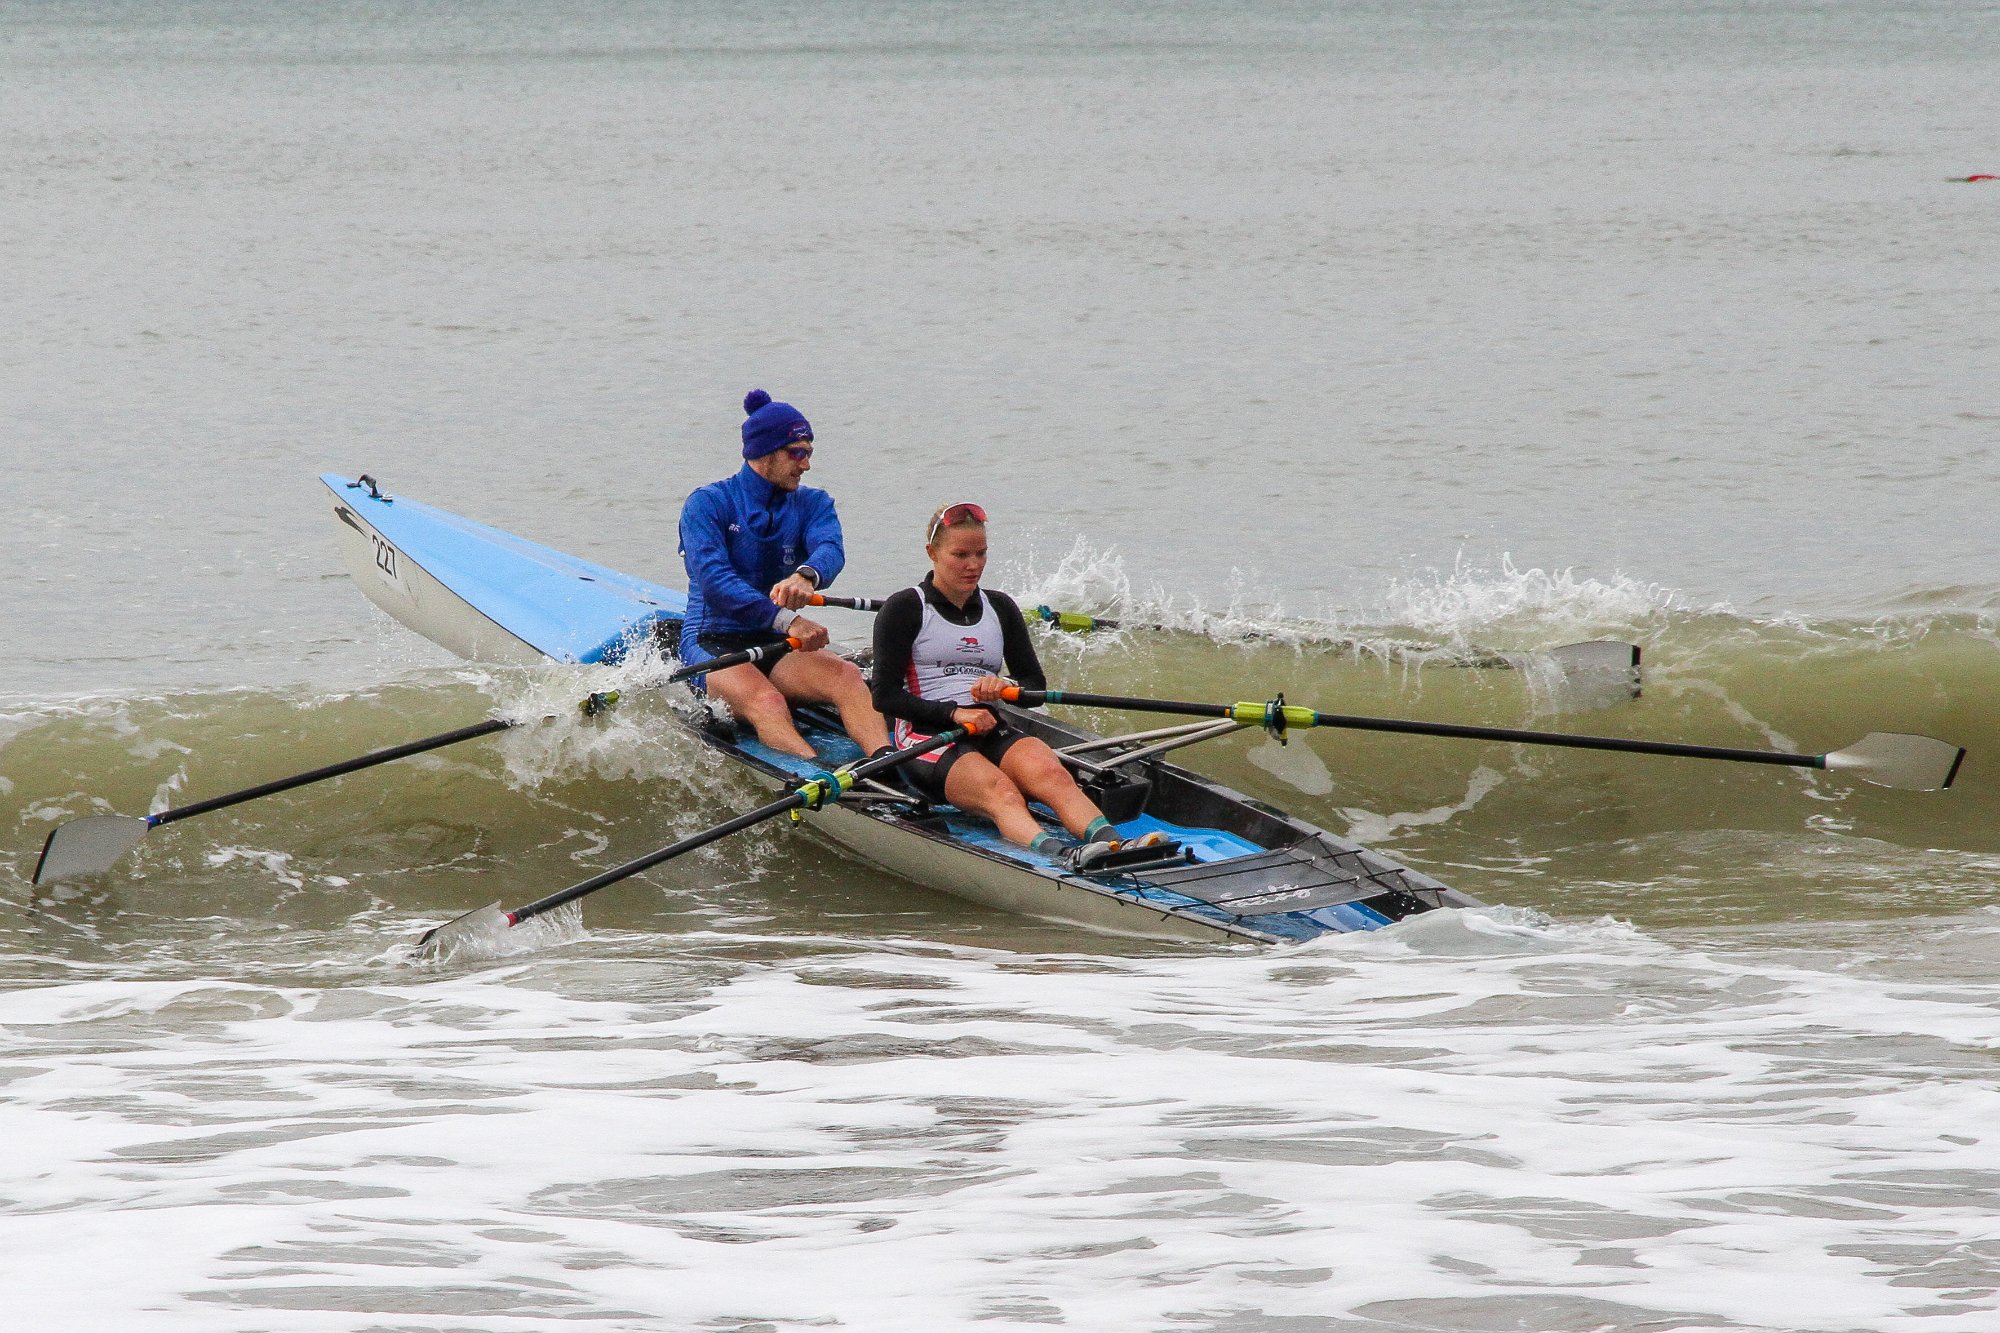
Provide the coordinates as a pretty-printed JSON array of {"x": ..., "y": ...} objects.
[{"x": 1293, "y": 335}]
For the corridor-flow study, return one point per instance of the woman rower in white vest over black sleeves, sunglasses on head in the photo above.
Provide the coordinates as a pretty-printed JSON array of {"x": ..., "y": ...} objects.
[{"x": 939, "y": 651}]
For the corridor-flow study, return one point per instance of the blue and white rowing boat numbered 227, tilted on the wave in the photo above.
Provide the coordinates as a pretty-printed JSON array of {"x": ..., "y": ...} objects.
[{"x": 1231, "y": 868}]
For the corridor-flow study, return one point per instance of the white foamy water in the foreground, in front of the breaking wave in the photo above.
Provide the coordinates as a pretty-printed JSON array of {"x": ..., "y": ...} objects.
[{"x": 1455, "y": 1124}]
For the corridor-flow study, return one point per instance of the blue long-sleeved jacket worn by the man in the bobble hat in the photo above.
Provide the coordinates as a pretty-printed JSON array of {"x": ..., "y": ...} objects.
[{"x": 743, "y": 535}]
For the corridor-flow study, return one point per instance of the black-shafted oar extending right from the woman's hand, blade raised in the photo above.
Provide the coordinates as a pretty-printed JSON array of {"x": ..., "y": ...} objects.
[{"x": 1881, "y": 758}]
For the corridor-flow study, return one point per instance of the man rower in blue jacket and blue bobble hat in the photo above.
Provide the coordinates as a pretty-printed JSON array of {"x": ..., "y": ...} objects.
[{"x": 755, "y": 531}]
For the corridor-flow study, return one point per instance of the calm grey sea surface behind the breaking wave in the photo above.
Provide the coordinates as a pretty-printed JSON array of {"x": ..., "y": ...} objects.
[{"x": 1335, "y": 297}]
